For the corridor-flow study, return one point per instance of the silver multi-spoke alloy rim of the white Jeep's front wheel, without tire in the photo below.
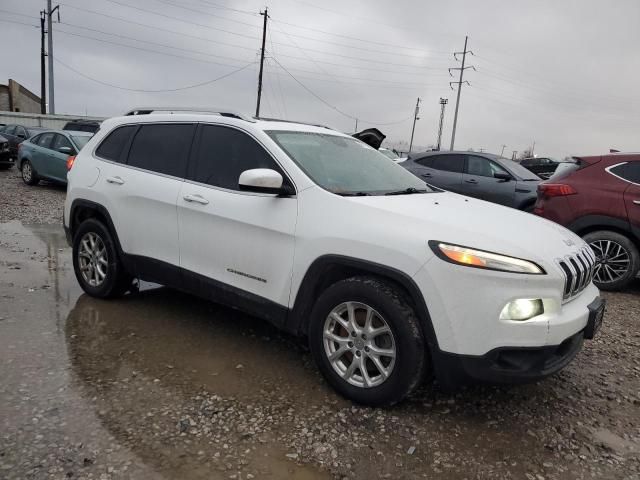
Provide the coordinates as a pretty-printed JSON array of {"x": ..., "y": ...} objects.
[{"x": 359, "y": 344}]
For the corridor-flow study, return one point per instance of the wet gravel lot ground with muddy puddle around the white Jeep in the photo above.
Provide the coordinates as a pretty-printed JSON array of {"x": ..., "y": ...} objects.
[{"x": 163, "y": 385}]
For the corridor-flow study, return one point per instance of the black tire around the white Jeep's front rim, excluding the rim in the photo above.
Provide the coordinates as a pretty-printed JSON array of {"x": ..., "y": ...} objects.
[{"x": 411, "y": 354}]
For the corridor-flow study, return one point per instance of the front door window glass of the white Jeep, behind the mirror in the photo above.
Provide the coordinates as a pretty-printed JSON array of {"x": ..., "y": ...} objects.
[{"x": 223, "y": 153}]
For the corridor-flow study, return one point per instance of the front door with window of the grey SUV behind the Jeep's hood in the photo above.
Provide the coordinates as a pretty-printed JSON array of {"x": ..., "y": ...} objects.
[{"x": 480, "y": 182}]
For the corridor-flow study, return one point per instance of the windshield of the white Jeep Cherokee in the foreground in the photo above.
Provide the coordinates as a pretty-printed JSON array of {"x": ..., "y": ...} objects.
[{"x": 344, "y": 165}]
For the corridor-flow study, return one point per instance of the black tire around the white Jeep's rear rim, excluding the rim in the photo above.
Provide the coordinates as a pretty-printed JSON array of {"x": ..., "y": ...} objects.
[{"x": 111, "y": 284}]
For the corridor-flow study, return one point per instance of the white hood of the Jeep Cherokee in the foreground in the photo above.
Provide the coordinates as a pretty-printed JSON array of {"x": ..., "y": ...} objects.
[{"x": 469, "y": 222}]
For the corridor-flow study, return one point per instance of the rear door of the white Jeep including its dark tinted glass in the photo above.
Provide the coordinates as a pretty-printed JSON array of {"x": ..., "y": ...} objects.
[{"x": 141, "y": 177}]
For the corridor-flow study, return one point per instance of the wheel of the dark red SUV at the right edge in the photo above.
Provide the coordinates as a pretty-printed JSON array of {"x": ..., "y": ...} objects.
[{"x": 621, "y": 252}]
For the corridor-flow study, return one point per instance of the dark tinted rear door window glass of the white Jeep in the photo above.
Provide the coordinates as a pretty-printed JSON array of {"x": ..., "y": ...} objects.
[{"x": 162, "y": 148}]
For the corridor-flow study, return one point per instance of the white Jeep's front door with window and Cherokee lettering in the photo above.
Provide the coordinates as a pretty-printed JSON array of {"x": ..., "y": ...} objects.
[{"x": 234, "y": 241}]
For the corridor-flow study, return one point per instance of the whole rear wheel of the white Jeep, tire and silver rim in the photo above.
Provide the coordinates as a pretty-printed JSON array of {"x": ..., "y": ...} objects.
[{"x": 104, "y": 274}]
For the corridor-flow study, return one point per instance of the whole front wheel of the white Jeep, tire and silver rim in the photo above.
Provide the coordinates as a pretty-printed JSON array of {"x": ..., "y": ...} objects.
[{"x": 388, "y": 307}]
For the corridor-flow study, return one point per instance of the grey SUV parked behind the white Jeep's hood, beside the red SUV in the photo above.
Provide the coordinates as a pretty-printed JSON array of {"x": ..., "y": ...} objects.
[{"x": 480, "y": 175}]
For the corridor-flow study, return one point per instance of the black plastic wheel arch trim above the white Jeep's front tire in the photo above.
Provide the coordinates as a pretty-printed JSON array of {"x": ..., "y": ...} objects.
[{"x": 329, "y": 269}]
